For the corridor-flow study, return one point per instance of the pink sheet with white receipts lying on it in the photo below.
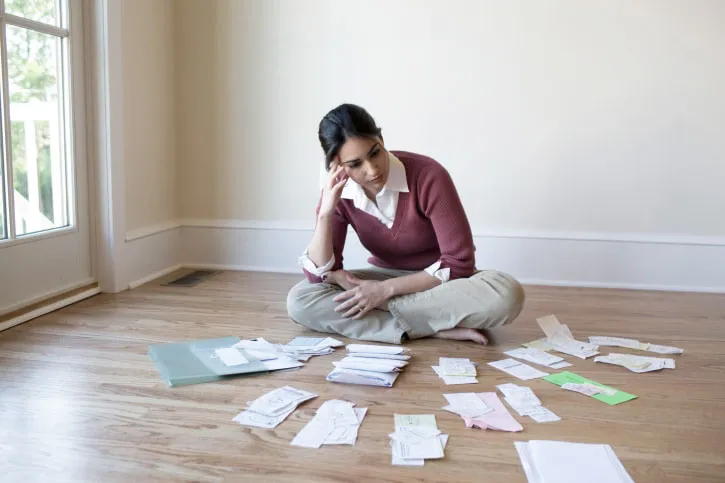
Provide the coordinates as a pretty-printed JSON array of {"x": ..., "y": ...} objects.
[{"x": 483, "y": 410}]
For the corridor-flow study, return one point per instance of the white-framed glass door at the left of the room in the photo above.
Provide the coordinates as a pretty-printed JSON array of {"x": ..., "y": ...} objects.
[{"x": 45, "y": 247}]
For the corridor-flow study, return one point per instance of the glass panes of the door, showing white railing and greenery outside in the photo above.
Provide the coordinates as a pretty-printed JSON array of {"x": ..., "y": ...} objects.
[{"x": 36, "y": 166}]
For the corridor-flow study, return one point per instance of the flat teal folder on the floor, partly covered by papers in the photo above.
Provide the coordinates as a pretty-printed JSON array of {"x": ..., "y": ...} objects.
[{"x": 195, "y": 362}]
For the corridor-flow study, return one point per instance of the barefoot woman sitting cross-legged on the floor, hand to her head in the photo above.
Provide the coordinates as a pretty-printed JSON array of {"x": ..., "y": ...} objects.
[{"x": 407, "y": 213}]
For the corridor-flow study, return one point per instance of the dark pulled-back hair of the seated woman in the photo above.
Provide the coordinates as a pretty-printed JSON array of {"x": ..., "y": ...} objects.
[{"x": 344, "y": 122}]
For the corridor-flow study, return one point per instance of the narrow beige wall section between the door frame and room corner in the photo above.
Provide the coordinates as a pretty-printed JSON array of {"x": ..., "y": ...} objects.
[{"x": 149, "y": 113}]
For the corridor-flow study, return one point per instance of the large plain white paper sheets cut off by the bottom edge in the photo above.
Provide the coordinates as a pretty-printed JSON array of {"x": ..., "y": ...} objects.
[{"x": 562, "y": 462}]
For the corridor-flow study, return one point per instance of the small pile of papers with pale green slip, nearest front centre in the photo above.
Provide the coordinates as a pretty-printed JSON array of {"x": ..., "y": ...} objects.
[{"x": 416, "y": 439}]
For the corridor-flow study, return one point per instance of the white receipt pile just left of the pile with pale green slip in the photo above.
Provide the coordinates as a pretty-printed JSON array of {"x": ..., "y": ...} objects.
[{"x": 336, "y": 422}]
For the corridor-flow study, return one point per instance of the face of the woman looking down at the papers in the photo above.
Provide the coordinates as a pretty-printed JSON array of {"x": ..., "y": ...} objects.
[{"x": 366, "y": 161}]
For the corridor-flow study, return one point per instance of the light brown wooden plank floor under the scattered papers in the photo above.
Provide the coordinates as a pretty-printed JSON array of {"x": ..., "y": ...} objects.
[{"x": 81, "y": 401}]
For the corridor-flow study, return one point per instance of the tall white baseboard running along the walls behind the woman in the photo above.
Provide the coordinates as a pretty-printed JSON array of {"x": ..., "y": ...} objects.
[{"x": 631, "y": 261}]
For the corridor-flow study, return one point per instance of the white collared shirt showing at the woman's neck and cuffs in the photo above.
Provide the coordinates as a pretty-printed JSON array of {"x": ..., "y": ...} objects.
[{"x": 384, "y": 210}]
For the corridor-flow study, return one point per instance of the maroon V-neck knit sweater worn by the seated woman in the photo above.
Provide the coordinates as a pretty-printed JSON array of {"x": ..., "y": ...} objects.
[{"x": 430, "y": 225}]
